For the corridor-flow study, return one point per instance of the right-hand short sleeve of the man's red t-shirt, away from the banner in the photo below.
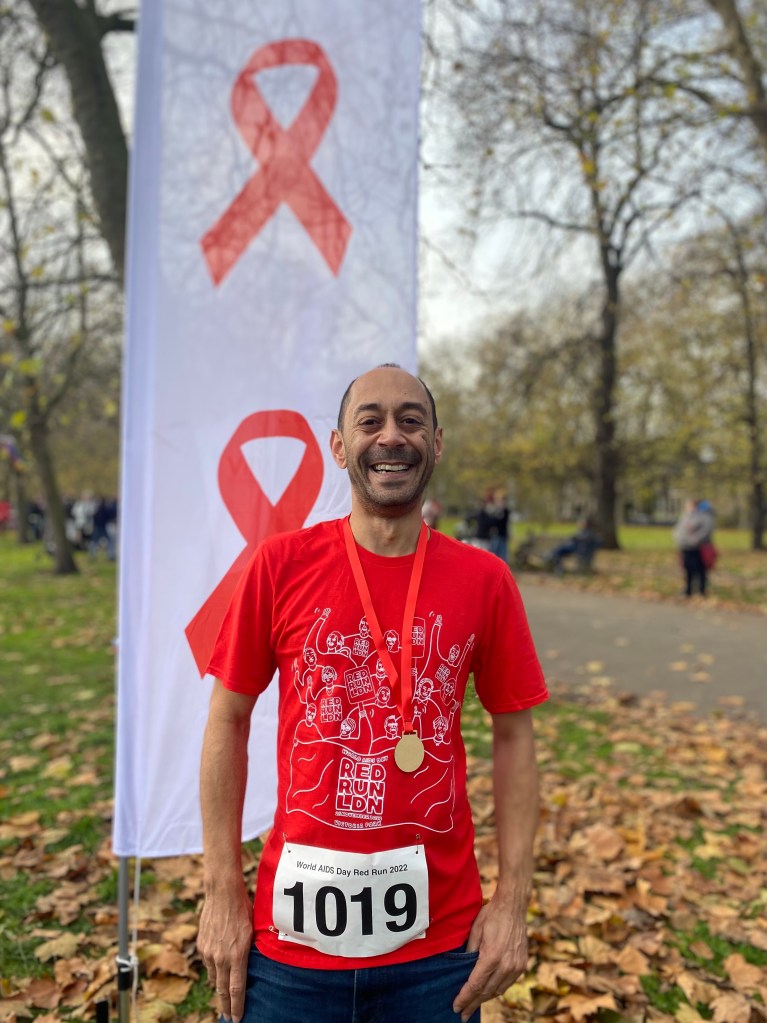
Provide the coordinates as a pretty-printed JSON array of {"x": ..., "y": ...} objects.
[{"x": 508, "y": 674}]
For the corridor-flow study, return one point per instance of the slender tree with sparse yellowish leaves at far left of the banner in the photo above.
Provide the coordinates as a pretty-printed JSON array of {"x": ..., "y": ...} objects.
[{"x": 53, "y": 265}]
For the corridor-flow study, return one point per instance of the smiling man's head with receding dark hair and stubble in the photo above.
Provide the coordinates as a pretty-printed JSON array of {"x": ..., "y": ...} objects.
[{"x": 388, "y": 442}]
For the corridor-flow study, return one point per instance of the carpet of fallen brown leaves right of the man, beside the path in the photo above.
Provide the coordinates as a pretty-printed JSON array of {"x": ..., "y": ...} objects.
[{"x": 649, "y": 899}]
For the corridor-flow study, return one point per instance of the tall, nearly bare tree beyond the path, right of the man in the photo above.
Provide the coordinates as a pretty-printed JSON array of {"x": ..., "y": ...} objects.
[{"x": 570, "y": 121}]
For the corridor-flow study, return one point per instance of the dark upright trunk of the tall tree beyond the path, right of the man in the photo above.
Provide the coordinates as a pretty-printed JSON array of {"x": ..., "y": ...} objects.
[{"x": 607, "y": 458}]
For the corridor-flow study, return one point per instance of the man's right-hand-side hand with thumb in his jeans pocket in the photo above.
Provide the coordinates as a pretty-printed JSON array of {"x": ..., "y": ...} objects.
[{"x": 501, "y": 935}]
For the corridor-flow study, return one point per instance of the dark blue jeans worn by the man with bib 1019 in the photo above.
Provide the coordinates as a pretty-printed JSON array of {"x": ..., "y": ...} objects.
[{"x": 421, "y": 992}]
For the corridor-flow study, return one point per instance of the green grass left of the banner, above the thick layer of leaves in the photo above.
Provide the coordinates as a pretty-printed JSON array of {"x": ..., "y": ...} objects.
[{"x": 57, "y": 697}]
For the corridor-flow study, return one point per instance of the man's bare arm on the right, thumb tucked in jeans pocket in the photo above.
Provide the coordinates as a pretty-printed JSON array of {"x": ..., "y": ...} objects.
[{"x": 501, "y": 929}]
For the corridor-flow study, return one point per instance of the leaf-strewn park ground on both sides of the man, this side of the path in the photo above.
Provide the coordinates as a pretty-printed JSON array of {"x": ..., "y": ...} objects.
[{"x": 649, "y": 902}]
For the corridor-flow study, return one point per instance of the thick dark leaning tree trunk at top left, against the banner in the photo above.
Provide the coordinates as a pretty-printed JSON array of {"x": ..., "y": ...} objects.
[{"x": 75, "y": 39}]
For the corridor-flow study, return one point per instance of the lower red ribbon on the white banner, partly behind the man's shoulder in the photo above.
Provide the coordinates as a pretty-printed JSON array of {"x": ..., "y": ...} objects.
[{"x": 254, "y": 514}]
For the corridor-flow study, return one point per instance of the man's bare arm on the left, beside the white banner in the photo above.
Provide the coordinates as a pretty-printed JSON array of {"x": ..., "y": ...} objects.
[{"x": 227, "y": 923}]
